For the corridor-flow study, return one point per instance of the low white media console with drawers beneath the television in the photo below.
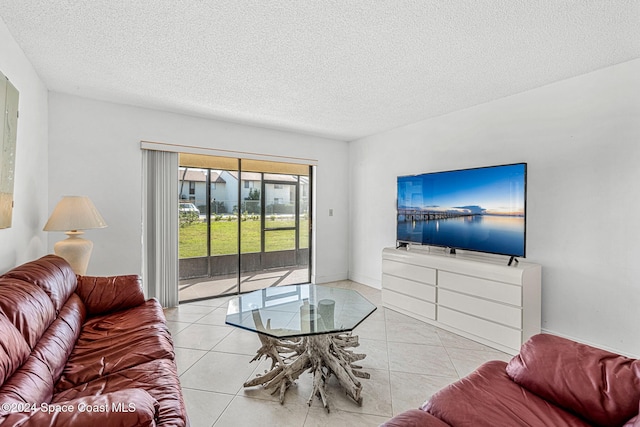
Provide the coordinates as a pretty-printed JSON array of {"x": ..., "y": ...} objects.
[{"x": 481, "y": 298}]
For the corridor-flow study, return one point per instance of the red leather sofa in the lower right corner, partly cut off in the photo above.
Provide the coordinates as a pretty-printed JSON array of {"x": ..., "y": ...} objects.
[{"x": 552, "y": 382}]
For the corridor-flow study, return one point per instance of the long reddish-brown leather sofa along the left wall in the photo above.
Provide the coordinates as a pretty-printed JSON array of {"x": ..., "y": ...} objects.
[{"x": 79, "y": 350}]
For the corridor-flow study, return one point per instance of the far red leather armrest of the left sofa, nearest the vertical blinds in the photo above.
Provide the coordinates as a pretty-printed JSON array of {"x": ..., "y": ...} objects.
[{"x": 108, "y": 294}]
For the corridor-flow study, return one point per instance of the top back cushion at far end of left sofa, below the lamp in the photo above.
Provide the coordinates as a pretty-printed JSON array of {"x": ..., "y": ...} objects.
[{"x": 52, "y": 274}]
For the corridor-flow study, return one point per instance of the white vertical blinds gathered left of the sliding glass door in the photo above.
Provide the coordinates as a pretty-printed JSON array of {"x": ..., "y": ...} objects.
[{"x": 160, "y": 225}]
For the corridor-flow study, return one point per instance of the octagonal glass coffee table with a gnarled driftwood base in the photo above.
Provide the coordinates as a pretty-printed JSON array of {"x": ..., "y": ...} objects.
[{"x": 304, "y": 328}]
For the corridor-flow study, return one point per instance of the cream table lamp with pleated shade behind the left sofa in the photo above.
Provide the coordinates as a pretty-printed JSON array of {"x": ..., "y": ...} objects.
[{"x": 71, "y": 215}]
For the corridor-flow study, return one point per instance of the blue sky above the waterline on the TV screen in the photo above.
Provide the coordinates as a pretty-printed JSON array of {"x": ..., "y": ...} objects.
[{"x": 497, "y": 190}]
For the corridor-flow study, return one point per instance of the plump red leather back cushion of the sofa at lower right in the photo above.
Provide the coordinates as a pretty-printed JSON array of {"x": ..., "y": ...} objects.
[{"x": 599, "y": 386}]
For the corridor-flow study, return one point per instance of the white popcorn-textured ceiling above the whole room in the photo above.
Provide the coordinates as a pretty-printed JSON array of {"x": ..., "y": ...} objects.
[{"x": 342, "y": 69}]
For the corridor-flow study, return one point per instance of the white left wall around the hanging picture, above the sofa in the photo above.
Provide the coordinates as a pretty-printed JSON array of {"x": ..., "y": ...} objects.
[{"x": 25, "y": 240}]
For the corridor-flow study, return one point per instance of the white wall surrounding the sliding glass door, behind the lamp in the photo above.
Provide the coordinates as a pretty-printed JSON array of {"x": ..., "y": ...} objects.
[{"x": 94, "y": 150}]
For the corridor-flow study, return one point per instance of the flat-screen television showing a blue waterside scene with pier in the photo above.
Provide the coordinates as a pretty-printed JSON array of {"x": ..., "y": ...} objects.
[{"x": 480, "y": 209}]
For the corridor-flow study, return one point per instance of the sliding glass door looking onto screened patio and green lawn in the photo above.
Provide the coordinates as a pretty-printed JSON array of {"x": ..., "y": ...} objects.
[{"x": 242, "y": 228}]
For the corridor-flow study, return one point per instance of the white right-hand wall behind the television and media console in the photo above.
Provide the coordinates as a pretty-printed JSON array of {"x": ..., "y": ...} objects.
[{"x": 581, "y": 140}]
